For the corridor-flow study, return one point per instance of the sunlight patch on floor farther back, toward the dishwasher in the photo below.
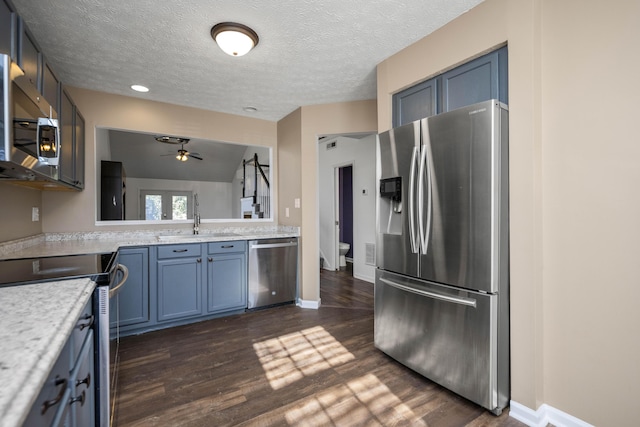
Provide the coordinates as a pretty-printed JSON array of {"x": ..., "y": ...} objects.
[{"x": 290, "y": 357}]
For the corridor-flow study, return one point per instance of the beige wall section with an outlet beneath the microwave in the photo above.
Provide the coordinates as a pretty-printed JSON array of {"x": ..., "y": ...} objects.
[{"x": 15, "y": 214}]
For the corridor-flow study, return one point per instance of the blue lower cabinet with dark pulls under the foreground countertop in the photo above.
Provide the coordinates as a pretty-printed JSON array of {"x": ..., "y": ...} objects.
[{"x": 67, "y": 397}]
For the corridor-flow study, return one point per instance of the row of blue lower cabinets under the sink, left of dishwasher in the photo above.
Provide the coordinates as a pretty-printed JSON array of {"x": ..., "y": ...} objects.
[{"x": 174, "y": 284}]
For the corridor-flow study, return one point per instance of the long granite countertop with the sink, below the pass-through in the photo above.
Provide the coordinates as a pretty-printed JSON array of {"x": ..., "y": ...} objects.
[{"x": 53, "y": 244}]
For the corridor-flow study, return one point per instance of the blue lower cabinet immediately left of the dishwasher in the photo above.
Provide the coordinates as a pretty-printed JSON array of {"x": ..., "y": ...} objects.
[{"x": 226, "y": 276}]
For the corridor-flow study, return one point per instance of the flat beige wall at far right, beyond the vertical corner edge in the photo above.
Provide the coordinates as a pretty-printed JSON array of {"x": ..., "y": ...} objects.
[{"x": 591, "y": 208}]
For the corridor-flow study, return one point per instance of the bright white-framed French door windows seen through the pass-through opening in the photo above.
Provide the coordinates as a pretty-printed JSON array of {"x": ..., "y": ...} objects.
[{"x": 165, "y": 204}]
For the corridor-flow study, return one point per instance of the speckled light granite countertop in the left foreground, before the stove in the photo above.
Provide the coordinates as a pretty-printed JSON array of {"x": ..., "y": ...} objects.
[{"x": 35, "y": 322}]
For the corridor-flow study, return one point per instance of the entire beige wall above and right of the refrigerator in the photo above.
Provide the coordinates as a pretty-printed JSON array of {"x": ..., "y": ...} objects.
[{"x": 573, "y": 70}]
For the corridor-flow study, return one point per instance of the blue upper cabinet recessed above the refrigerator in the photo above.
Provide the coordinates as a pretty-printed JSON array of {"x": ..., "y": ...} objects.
[{"x": 478, "y": 80}]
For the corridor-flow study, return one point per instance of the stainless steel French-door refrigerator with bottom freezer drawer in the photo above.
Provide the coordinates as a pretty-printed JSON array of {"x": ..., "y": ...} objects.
[{"x": 442, "y": 278}]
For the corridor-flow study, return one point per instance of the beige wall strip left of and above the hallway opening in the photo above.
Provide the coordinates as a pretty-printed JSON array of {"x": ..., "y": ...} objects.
[{"x": 316, "y": 120}]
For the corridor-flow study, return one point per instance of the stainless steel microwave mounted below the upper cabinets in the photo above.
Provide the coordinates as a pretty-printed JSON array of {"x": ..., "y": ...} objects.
[{"x": 29, "y": 130}]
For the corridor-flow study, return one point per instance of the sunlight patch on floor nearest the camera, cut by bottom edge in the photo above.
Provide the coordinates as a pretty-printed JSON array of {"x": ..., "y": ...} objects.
[{"x": 365, "y": 400}]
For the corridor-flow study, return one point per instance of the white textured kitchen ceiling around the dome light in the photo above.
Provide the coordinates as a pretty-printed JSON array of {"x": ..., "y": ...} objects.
[{"x": 310, "y": 51}]
